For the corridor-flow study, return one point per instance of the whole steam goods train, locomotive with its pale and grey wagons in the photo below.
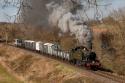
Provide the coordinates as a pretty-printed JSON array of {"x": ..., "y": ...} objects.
[{"x": 79, "y": 55}]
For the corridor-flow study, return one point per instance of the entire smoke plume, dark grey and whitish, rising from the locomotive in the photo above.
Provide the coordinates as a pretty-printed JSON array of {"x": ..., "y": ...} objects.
[{"x": 68, "y": 15}]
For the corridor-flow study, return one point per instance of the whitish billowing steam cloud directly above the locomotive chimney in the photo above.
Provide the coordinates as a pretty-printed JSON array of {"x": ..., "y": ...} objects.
[{"x": 66, "y": 16}]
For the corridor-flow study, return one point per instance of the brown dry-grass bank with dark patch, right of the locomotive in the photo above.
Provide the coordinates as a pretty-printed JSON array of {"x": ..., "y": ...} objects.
[{"x": 112, "y": 36}]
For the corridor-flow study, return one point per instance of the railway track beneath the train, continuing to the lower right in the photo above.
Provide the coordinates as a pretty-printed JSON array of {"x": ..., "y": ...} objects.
[{"x": 108, "y": 75}]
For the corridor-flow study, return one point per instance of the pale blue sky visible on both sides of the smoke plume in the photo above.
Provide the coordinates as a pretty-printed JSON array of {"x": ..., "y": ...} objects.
[{"x": 6, "y": 13}]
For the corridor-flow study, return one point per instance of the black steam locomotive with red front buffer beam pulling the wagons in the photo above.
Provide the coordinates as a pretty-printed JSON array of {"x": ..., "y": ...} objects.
[{"x": 84, "y": 57}]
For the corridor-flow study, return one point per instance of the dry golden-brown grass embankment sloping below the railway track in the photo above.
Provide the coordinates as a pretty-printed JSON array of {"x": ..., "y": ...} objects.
[{"x": 33, "y": 68}]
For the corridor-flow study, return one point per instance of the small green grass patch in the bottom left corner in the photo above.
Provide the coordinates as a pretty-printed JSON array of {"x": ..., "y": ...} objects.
[{"x": 6, "y": 77}]
